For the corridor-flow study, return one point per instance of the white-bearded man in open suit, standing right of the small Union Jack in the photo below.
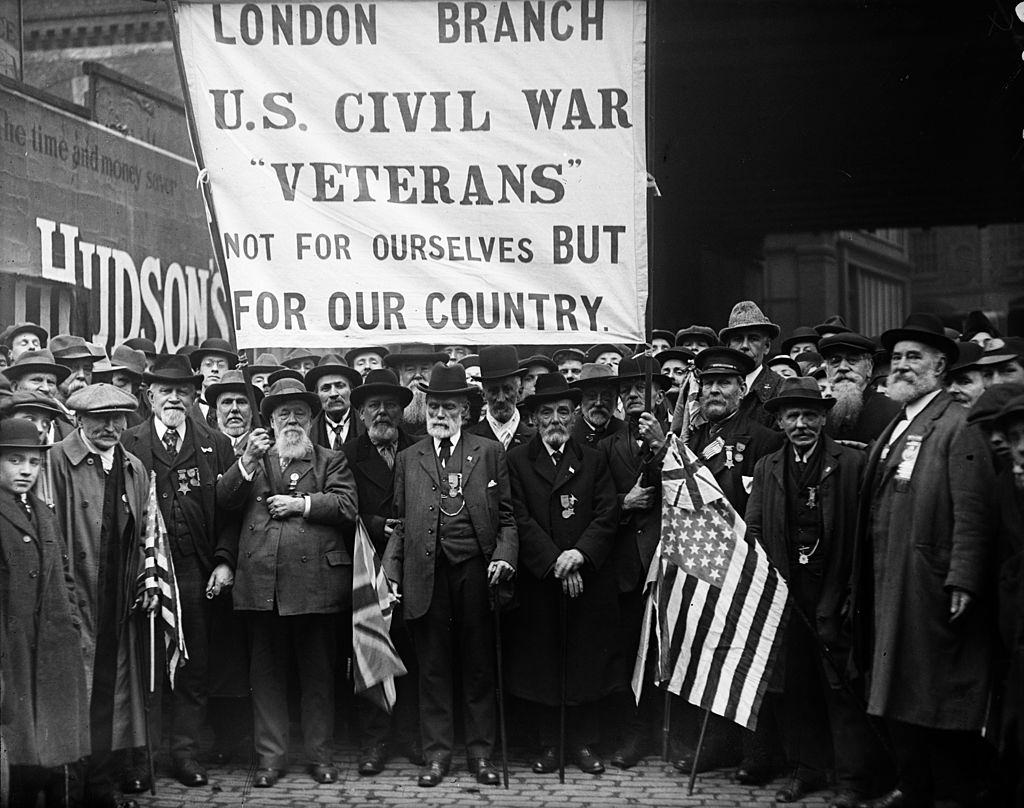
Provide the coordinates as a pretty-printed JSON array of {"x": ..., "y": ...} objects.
[{"x": 456, "y": 537}]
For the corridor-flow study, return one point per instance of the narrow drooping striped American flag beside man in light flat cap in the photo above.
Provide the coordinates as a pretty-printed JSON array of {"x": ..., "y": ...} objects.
[{"x": 158, "y": 579}]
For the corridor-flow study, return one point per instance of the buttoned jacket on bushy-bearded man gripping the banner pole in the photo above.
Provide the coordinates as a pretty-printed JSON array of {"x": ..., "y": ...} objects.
[{"x": 303, "y": 564}]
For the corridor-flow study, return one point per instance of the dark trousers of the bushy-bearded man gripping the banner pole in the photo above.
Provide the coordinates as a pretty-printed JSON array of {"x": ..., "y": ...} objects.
[{"x": 313, "y": 643}]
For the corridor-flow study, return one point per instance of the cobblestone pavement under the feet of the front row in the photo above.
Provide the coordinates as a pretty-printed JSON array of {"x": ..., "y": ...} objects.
[{"x": 651, "y": 784}]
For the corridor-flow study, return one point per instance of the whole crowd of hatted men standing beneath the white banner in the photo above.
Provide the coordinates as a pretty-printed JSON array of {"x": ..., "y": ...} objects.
[{"x": 883, "y": 476}]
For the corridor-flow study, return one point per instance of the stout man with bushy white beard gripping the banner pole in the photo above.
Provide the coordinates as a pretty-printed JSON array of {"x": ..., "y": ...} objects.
[{"x": 293, "y": 574}]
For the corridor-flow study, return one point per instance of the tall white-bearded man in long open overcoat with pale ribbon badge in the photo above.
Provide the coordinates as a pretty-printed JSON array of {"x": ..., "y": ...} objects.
[{"x": 923, "y": 632}]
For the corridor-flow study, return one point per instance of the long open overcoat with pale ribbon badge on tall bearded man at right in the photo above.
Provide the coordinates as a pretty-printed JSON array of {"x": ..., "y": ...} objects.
[{"x": 918, "y": 540}]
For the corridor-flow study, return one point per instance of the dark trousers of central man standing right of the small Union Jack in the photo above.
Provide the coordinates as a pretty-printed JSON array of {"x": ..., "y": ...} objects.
[{"x": 458, "y": 629}]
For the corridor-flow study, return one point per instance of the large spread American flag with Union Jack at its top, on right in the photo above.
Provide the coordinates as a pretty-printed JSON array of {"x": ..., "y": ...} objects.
[{"x": 715, "y": 606}]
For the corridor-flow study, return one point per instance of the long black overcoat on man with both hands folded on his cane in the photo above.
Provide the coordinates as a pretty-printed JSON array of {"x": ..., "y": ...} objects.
[{"x": 572, "y": 507}]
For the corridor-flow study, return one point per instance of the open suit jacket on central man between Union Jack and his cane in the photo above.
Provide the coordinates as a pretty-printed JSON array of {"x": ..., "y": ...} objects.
[{"x": 411, "y": 551}]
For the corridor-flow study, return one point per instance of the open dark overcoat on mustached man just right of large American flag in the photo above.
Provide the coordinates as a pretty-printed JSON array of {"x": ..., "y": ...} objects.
[{"x": 766, "y": 524}]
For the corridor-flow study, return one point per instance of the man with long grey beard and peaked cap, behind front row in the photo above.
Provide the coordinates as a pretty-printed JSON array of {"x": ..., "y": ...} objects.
[{"x": 861, "y": 412}]
